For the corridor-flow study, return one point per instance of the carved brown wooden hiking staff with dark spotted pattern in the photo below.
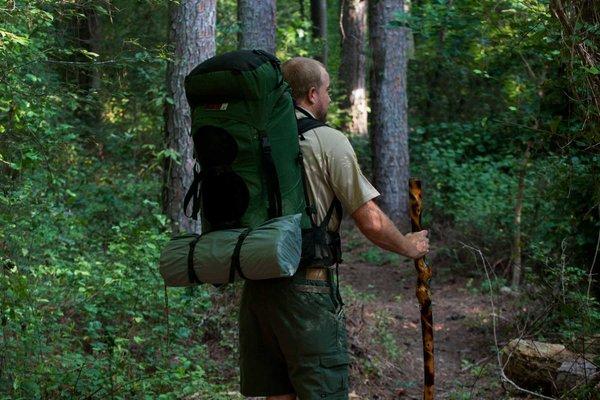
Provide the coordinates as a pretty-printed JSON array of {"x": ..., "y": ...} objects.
[{"x": 423, "y": 293}]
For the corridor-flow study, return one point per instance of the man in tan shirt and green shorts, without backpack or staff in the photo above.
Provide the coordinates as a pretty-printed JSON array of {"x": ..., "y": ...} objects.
[{"x": 292, "y": 331}]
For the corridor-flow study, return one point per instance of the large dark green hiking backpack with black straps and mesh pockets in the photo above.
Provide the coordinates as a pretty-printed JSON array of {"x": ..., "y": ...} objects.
[{"x": 246, "y": 144}]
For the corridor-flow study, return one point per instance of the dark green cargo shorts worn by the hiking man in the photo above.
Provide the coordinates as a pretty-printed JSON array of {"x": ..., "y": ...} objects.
[{"x": 293, "y": 339}]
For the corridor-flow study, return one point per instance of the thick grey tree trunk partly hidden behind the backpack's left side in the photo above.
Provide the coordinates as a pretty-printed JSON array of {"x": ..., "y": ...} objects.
[{"x": 192, "y": 34}]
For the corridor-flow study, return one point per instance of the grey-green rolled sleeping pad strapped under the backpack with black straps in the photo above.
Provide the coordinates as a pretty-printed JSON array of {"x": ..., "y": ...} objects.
[{"x": 271, "y": 250}]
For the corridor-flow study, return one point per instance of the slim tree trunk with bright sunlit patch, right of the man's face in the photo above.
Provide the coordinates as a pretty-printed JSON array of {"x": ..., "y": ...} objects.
[{"x": 352, "y": 66}]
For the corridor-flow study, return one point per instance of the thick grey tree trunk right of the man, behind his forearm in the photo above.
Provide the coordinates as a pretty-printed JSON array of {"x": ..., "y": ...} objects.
[{"x": 389, "y": 125}]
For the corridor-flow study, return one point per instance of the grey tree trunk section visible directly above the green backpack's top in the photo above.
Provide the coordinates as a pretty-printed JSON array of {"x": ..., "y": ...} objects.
[{"x": 257, "y": 24}]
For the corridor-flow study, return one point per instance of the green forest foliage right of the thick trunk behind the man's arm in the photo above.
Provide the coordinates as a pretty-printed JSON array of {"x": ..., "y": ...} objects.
[{"x": 486, "y": 78}]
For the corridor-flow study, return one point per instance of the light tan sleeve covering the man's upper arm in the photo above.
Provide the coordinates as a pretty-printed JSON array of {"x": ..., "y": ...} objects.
[{"x": 349, "y": 184}]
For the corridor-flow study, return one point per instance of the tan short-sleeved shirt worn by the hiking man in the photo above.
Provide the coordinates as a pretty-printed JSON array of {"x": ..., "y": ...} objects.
[{"x": 333, "y": 171}]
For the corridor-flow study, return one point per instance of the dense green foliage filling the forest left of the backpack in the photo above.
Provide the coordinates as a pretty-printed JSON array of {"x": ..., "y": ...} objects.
[{"x": 82, "y": 305}]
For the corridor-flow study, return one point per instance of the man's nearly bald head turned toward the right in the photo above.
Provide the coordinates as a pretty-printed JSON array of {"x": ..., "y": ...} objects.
[{"x": 309, "y": 82}]
